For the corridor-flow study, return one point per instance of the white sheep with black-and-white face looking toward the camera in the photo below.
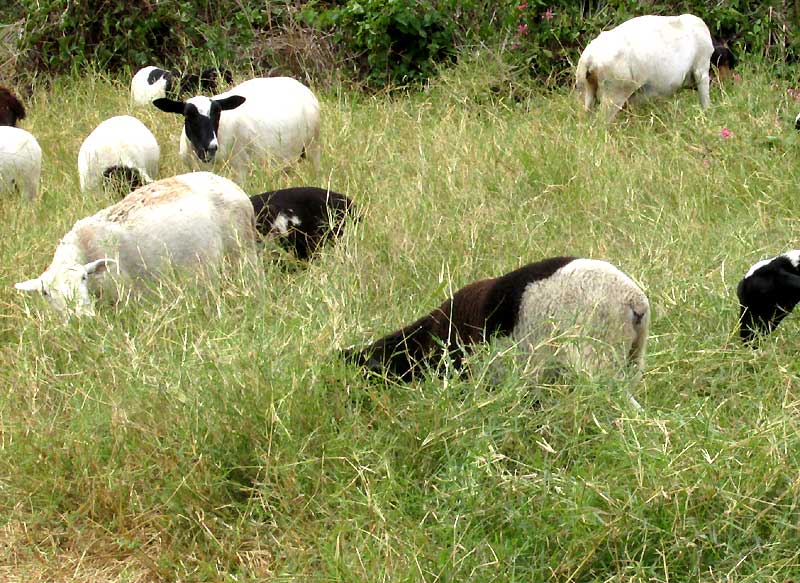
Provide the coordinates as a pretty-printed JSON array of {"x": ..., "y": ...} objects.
[{"x": 258, "y": 121}]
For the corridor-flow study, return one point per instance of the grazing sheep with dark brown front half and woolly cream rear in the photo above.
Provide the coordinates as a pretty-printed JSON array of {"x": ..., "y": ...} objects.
[{"x": 529, "y": 305}]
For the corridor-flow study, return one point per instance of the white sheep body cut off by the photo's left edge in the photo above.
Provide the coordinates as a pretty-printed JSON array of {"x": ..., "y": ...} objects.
[{"x": 20, "y": 161}]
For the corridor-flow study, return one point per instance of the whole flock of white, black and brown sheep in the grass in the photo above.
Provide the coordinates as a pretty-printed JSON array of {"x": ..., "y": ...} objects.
[{"x": 193, "y": 222}]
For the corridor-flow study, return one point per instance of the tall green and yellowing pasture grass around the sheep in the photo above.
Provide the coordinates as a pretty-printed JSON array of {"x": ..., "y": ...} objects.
[{"x": 213, "y": 435}]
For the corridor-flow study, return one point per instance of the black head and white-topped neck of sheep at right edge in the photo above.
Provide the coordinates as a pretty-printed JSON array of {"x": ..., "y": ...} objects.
[{"x": 767, "y": 293}]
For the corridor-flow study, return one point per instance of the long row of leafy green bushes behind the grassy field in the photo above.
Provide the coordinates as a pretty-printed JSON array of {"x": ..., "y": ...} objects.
[{"x": 378, "y": 42}]
